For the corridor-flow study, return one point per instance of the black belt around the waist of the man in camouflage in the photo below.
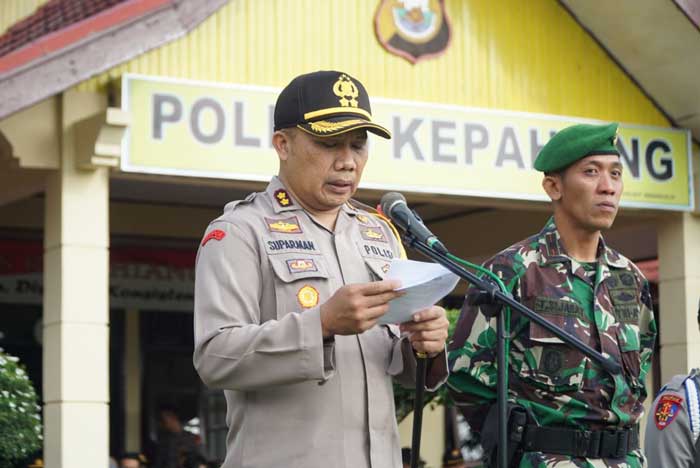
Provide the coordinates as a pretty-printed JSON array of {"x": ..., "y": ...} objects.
[{"x": 608, "y": 443}]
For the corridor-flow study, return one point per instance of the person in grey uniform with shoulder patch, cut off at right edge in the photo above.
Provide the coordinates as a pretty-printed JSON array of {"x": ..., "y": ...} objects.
[{"x": 672, "y": 438}]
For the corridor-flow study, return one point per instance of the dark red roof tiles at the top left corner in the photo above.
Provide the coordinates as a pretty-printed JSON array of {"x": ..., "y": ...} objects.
[{"x": 53, "y": 16}]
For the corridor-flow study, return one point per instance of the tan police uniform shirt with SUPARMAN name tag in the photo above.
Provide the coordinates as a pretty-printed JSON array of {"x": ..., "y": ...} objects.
[{"x": 263, "y": 270}]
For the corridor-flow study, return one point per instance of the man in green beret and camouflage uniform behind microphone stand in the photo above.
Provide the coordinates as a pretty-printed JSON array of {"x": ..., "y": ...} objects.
[{"x": 577, "y": 414}]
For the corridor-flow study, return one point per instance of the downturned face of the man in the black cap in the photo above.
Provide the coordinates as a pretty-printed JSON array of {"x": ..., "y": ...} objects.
[{"x": 321, "y": 173}]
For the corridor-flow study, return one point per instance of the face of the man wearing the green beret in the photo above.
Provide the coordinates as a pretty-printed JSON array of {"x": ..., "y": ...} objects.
[{"x": 588, "y": 192}]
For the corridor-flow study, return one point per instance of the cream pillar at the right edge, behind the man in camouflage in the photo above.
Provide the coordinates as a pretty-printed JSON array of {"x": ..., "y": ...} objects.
[{"x": 679, "y": 291}]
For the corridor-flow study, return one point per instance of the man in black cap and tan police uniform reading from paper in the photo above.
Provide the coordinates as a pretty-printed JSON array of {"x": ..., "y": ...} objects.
[{"x": 289, "y": 291}]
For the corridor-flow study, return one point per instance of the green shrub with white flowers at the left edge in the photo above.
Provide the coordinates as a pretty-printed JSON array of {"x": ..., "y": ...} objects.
[{"x": 20, "y": 420}]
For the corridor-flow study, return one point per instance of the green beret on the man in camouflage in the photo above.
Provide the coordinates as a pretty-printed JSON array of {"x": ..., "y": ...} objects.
[{"x": 576, "y": 142}]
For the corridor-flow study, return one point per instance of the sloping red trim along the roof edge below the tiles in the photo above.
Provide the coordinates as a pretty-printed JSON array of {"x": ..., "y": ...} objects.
[{"x": 56, "y": 41}]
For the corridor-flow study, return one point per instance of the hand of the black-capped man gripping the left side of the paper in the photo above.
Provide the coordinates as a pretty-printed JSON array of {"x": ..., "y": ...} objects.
[{"x": 355, "y": 308}]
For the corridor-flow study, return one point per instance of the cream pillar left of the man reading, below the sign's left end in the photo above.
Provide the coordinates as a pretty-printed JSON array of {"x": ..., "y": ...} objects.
[{"x": 76, "y": 303}]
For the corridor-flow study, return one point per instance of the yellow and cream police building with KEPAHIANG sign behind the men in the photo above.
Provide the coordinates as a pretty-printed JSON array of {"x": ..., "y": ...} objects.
[{"x": 126, "y": 129}]
